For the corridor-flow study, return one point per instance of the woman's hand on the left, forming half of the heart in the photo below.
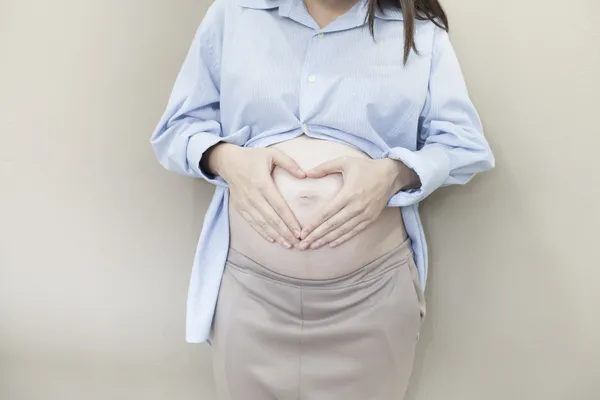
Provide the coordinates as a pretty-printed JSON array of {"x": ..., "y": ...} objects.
[{"x": 254, "y": 195}]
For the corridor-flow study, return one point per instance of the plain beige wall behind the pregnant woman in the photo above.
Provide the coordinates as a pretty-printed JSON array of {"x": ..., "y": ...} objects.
[{"x": 96, "y": 240}]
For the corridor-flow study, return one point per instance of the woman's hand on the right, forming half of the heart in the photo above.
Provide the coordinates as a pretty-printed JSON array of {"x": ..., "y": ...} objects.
[{"x": 368, "y": 186}]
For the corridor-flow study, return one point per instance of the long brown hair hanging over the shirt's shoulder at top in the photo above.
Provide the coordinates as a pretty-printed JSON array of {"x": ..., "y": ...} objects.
[{"x": 412, "y": 10}]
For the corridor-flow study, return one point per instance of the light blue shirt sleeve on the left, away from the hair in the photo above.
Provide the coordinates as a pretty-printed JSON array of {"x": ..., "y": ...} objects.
[{"x": 191, "y": 122}]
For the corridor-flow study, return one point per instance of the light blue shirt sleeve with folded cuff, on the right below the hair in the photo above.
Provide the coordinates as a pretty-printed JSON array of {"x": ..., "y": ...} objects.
[{"x": 451, "y": 146}]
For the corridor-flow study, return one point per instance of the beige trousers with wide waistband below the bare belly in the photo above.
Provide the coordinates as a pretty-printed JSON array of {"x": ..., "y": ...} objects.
[{"x": 349, "y": 338}]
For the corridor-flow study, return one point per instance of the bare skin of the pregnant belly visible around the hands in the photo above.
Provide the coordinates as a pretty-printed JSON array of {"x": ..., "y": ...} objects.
[{"x": 306, "y": 198}]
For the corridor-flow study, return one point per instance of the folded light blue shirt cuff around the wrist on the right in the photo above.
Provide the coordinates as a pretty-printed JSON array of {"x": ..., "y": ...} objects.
[{"x": 432, "y": 166}]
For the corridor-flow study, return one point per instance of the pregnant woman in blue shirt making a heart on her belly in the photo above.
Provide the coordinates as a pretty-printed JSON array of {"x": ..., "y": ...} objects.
[{"x": 322, "y": 124}]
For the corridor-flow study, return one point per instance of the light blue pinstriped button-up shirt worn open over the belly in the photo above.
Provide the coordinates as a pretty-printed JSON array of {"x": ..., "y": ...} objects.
[{"x": 261, "y": 72}]
